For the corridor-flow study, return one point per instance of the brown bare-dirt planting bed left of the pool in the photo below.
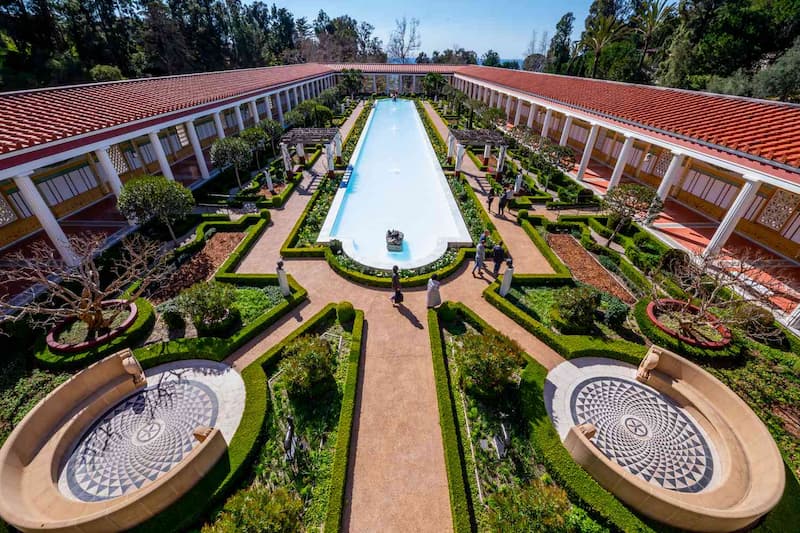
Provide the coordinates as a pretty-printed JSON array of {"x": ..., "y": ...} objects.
[{"x": 201, "y": 266}]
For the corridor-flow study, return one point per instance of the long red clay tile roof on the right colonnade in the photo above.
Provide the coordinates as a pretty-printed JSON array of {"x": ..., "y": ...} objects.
[{"x": 761, "y": 128}]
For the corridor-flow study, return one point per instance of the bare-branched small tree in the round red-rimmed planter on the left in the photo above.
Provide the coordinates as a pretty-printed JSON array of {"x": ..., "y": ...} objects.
[{"x": 78, "y": 293}]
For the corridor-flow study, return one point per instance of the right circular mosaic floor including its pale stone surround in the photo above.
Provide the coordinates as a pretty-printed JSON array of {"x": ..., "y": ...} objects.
[{"x": 639, "y": 428}]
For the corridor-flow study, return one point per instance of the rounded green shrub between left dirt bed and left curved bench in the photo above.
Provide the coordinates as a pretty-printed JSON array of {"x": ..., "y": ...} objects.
[{"x": 210, "y": 306}]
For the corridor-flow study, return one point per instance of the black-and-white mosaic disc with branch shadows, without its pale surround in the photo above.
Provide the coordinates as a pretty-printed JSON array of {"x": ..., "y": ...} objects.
[{"x": 140, "y": 439}]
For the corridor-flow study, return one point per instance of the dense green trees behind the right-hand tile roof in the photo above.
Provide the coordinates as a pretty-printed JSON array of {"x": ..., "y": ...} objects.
[{"x": 743, "y": 47}]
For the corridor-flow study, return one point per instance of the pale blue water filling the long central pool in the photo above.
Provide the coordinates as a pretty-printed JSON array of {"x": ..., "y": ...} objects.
[{"x": 394, "y": 182}]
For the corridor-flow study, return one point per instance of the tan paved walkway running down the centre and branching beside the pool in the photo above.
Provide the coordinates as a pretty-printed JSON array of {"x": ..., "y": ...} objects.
[{"x": 397, "y": 480}]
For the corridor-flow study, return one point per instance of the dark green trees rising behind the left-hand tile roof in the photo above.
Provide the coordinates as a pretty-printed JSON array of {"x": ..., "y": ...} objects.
[{"x": 49, "y": 42}]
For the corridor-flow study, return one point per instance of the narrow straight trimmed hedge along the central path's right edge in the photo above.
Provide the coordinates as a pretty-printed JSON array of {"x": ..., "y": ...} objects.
[{"x": 460, "y": 498}]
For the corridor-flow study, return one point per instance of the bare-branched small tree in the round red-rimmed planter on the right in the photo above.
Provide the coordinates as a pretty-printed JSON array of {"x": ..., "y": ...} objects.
[{"x": 734, "y": 289}]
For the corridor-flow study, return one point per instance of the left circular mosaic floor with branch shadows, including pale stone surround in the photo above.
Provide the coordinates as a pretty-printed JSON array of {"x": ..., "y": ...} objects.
[{"x": 148, "y": 433}]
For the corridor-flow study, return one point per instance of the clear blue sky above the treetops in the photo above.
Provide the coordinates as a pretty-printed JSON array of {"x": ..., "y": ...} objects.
[{"x": 504, "y": 26}]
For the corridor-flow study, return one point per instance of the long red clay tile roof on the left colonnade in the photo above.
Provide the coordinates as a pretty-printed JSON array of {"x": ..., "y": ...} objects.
[{"x": 31, "y": 118}]
